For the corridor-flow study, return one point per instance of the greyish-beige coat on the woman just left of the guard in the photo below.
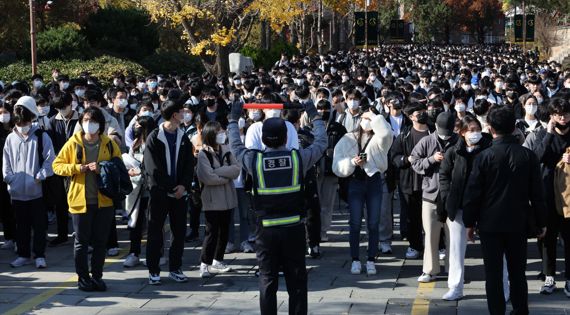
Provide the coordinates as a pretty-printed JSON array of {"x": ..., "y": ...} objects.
[{"x": 218, "y": 192}]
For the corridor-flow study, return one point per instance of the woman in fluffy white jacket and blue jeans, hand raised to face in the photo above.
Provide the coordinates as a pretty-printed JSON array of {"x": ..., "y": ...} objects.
[{"x": 362, "y": 156}]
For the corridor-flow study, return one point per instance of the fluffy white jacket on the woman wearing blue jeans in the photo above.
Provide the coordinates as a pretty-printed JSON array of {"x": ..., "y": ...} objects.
[{"x": 377, "y": 150}]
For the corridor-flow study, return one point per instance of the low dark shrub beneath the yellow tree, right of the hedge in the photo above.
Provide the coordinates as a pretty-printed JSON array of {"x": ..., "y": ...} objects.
[{"x": 170, "y": 61}]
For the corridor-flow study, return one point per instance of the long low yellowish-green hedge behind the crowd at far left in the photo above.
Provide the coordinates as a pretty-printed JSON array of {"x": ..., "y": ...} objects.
[{"x": 102, "y": 67}]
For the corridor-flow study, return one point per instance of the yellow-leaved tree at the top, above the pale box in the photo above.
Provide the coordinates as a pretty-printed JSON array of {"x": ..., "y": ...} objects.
[{"x": 212, "y": 29}]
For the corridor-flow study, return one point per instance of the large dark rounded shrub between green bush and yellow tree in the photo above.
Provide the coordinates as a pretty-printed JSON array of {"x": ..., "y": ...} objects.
[{"x": 127, "y": 33}]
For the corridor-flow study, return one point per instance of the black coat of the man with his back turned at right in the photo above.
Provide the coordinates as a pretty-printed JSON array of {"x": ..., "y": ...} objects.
[{"x": 504, "y": 193}]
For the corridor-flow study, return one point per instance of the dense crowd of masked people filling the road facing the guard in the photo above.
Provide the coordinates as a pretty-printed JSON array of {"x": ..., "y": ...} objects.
[{"x": 466, "y": 138}]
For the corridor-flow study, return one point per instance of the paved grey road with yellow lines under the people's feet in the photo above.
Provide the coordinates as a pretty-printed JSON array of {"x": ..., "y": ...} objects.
[{"x": 332, "y": 289}]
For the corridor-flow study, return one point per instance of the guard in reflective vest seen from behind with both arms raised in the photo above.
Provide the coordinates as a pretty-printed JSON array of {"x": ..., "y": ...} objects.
[{"x": 278, "y": 202}]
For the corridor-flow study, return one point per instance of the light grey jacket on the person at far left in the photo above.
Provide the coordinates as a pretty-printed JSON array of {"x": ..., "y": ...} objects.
[{"x": 21, "y": 164}]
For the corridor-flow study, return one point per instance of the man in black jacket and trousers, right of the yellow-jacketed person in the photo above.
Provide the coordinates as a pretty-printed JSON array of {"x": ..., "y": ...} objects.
[{"x": 169, "y": 168}]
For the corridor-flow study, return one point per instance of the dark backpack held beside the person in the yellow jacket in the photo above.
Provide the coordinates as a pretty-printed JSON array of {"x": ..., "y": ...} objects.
[{"x": 114, "y": 180}]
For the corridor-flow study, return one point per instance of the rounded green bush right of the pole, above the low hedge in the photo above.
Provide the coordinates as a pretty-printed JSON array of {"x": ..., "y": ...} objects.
[{"x": 63, "y": 43}]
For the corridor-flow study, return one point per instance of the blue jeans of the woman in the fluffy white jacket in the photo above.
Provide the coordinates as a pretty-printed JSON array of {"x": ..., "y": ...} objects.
[{"x": 361, "y": 192}]
